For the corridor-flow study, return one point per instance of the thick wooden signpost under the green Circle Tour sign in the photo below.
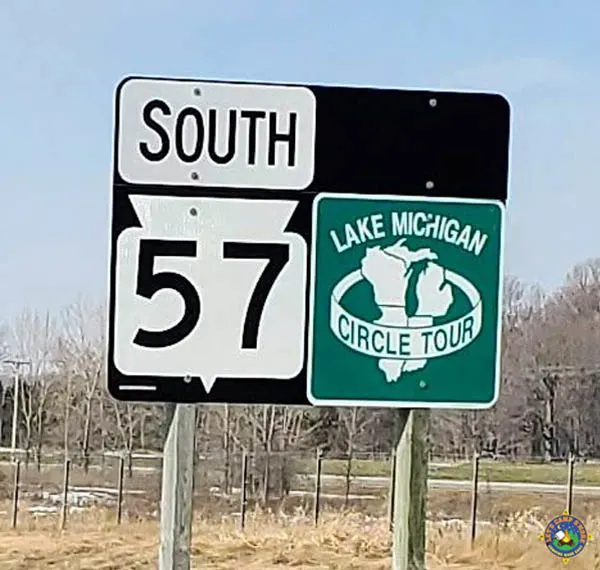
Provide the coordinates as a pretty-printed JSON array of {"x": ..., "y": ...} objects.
[{"x": 410, "y": 491}]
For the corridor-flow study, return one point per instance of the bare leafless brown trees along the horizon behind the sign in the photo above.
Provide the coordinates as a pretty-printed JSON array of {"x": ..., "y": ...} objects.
[{"x": 550, "y": 393}]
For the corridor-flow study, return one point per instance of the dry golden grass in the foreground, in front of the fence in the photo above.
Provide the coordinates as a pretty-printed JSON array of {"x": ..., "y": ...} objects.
[{"x": 352, "y": 542}]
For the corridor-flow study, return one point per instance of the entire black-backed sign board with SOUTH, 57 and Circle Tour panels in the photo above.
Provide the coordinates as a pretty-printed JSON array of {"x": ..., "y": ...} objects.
[{"x": 297, "y": 244}]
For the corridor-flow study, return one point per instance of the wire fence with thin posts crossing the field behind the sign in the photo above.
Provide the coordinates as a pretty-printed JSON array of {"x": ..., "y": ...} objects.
[{"x": 471, "y": 493}]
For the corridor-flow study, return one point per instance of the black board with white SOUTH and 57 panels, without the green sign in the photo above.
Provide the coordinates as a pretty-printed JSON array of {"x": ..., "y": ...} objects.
[{"x": 212, "y": 204}]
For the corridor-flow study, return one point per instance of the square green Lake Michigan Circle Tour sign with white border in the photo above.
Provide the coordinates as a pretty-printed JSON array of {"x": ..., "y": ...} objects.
[{"x": 405, "y": 306}]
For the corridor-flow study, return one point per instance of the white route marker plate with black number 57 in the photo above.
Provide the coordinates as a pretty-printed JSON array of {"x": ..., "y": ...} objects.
[{"x": 210, "y": 287}]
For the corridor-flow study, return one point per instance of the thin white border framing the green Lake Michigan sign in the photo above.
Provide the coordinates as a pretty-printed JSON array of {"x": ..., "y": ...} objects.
[{"x": 402, "y": 403}]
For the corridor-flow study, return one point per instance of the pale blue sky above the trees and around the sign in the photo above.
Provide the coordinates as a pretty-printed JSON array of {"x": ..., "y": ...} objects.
[{"x": 61, "y": 60}]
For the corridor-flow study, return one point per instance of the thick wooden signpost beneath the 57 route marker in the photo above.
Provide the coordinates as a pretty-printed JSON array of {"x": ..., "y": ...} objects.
[{"x": 177, "y": 490}]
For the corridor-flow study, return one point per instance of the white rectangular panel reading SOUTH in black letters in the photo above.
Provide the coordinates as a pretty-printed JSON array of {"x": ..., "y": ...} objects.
[{"x": 231, "y": 135}]
